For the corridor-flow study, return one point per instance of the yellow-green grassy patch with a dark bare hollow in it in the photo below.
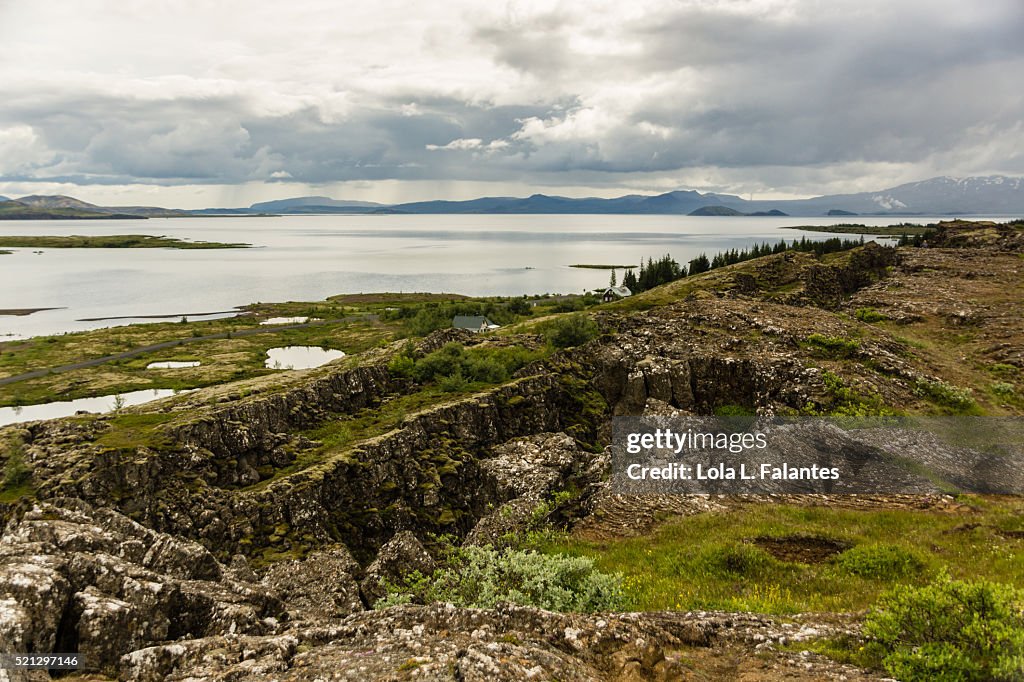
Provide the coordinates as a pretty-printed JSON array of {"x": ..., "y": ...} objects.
[{"x": 727, "y": 561}]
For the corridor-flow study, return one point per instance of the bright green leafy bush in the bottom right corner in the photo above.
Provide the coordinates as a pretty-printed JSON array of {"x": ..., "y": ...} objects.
[{"x": 951, "y": 630}]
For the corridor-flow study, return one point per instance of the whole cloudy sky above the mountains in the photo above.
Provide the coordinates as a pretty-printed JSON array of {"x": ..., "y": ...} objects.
[{"x": 195, "y": 104}]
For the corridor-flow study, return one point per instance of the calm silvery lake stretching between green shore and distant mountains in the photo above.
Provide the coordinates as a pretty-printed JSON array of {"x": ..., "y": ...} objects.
[{"x": 313, "y": 258}]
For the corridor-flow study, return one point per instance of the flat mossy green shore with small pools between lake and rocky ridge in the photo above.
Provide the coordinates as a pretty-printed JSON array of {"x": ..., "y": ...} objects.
[{"x": 365, "y": 322}]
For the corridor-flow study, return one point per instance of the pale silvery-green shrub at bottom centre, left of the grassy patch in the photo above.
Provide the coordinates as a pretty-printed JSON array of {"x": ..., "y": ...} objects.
[{"x": 483, "y": 578}]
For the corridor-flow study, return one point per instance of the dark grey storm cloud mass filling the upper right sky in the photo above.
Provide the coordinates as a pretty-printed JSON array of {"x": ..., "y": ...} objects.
[{"x": 895, "y": 84}]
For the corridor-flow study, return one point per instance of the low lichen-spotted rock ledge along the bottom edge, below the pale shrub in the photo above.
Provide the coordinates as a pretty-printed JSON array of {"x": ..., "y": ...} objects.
[{"x": 439, "y": 643}]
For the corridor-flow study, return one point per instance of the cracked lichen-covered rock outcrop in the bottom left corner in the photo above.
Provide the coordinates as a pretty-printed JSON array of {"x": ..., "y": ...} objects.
[{"x": 75, "y": 579}]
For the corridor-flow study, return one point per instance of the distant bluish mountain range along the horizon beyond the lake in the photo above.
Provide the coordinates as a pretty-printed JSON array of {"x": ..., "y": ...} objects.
[{"x": 940, "y": 196}]
